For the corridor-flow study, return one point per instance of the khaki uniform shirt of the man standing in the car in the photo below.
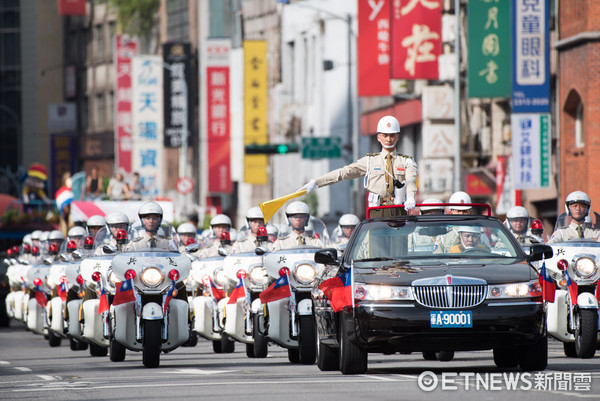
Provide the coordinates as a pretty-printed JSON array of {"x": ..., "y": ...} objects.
[{"x": 373, "y": 166}]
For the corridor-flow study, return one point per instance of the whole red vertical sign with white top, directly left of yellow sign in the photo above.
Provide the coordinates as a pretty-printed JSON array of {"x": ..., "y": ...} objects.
[{"x": 217, "y": 117}]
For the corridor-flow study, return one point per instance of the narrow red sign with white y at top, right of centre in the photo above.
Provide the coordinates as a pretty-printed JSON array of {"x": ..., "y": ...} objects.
[{"x": 374, "y": 40}]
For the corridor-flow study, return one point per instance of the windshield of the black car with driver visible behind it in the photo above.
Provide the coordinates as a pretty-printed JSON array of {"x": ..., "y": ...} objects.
[{"x": 446, "y": 241}]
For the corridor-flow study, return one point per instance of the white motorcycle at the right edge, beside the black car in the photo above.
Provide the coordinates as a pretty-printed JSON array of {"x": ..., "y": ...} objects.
[{"x": 573, "y": 316}]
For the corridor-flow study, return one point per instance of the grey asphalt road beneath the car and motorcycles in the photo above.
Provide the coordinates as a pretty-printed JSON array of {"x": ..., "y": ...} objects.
[{"x": 31, "y": 370}]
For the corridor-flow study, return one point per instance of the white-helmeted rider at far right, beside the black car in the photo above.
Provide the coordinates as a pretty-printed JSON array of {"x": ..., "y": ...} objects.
[{"x": 577, "y": 206}]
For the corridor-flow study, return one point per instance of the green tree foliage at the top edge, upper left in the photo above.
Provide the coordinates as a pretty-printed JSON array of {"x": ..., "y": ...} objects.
[{"x": 136, "y": 17}]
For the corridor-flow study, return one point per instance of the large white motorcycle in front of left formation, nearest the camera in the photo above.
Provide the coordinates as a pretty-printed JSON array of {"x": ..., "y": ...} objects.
[{"x": 156, "y": 319}]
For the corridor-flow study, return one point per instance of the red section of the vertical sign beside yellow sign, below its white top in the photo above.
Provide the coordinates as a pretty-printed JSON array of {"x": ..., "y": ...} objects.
[{"x": 219, "y": 139}]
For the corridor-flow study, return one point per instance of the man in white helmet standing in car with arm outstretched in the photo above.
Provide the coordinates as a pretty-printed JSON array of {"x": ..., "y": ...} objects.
[{"x": 389, "y": 177}]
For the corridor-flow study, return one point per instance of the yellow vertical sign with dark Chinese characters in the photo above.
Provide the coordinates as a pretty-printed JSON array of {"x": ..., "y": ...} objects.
[{"x": 255, "y": 109}]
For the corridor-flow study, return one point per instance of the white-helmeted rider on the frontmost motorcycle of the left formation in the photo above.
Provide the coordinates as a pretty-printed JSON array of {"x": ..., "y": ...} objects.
[{"x": 150, "y": 214}]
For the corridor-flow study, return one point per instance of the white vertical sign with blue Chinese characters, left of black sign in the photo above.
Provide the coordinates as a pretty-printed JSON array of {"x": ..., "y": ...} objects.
[{"x": 147, "y": 122}]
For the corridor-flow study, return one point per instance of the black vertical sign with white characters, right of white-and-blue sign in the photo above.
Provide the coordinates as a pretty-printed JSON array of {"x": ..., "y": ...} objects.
[{"x": 176, "y": 94}]
